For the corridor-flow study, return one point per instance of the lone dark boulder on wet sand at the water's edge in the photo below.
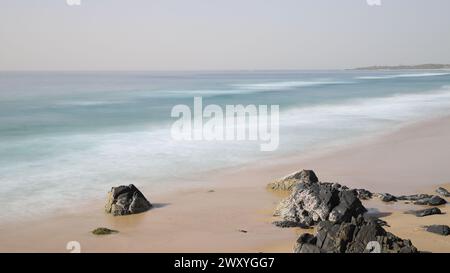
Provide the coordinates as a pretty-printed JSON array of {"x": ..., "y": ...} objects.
[{"x": 124, "y": 200}]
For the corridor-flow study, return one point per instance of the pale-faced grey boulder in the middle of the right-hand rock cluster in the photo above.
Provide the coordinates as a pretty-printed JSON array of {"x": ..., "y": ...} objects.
[{"x": 313, "y": 202}]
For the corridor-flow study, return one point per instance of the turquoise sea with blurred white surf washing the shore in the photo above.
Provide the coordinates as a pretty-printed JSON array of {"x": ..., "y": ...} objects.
[{"x": 68, "y": 137}]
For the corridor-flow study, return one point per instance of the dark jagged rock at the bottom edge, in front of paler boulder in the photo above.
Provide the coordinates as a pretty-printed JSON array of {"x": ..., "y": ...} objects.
[{"x": 356, "y": 236}]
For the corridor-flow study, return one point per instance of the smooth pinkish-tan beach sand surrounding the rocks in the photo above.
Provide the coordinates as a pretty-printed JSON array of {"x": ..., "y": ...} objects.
[{"x": 231, "y": 210}]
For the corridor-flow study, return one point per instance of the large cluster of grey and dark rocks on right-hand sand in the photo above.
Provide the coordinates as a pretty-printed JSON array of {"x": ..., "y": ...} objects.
[{"x": 338, "y": 215}]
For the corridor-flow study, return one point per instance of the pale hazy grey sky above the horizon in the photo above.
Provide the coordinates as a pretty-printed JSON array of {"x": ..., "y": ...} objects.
[{"x": 221, "y": 34}]
